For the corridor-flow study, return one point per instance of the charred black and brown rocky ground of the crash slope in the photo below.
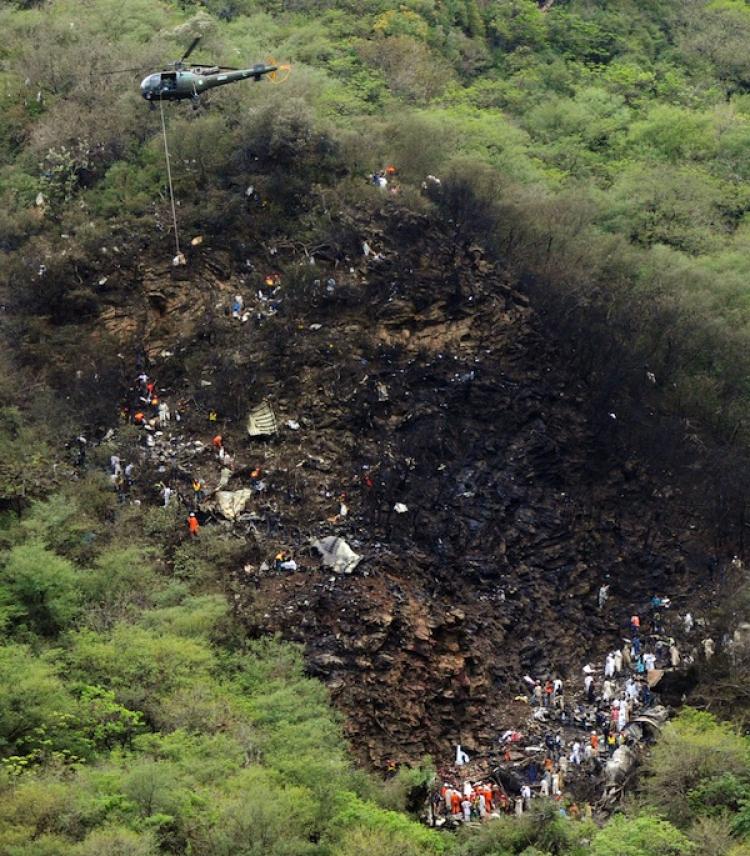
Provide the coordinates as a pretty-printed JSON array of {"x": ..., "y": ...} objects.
[{"x": 429, "y": 383}]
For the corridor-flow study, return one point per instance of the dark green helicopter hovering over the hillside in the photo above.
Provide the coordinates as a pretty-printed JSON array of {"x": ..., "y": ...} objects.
[{"x": 179, "y": 81}]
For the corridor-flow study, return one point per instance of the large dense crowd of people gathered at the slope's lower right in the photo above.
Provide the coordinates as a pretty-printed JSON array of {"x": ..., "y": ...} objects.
[{"x": 575, "y": 734}]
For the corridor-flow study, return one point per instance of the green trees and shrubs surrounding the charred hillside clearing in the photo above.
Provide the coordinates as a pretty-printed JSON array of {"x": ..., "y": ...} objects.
[{"x": 601, "y": 148}]
